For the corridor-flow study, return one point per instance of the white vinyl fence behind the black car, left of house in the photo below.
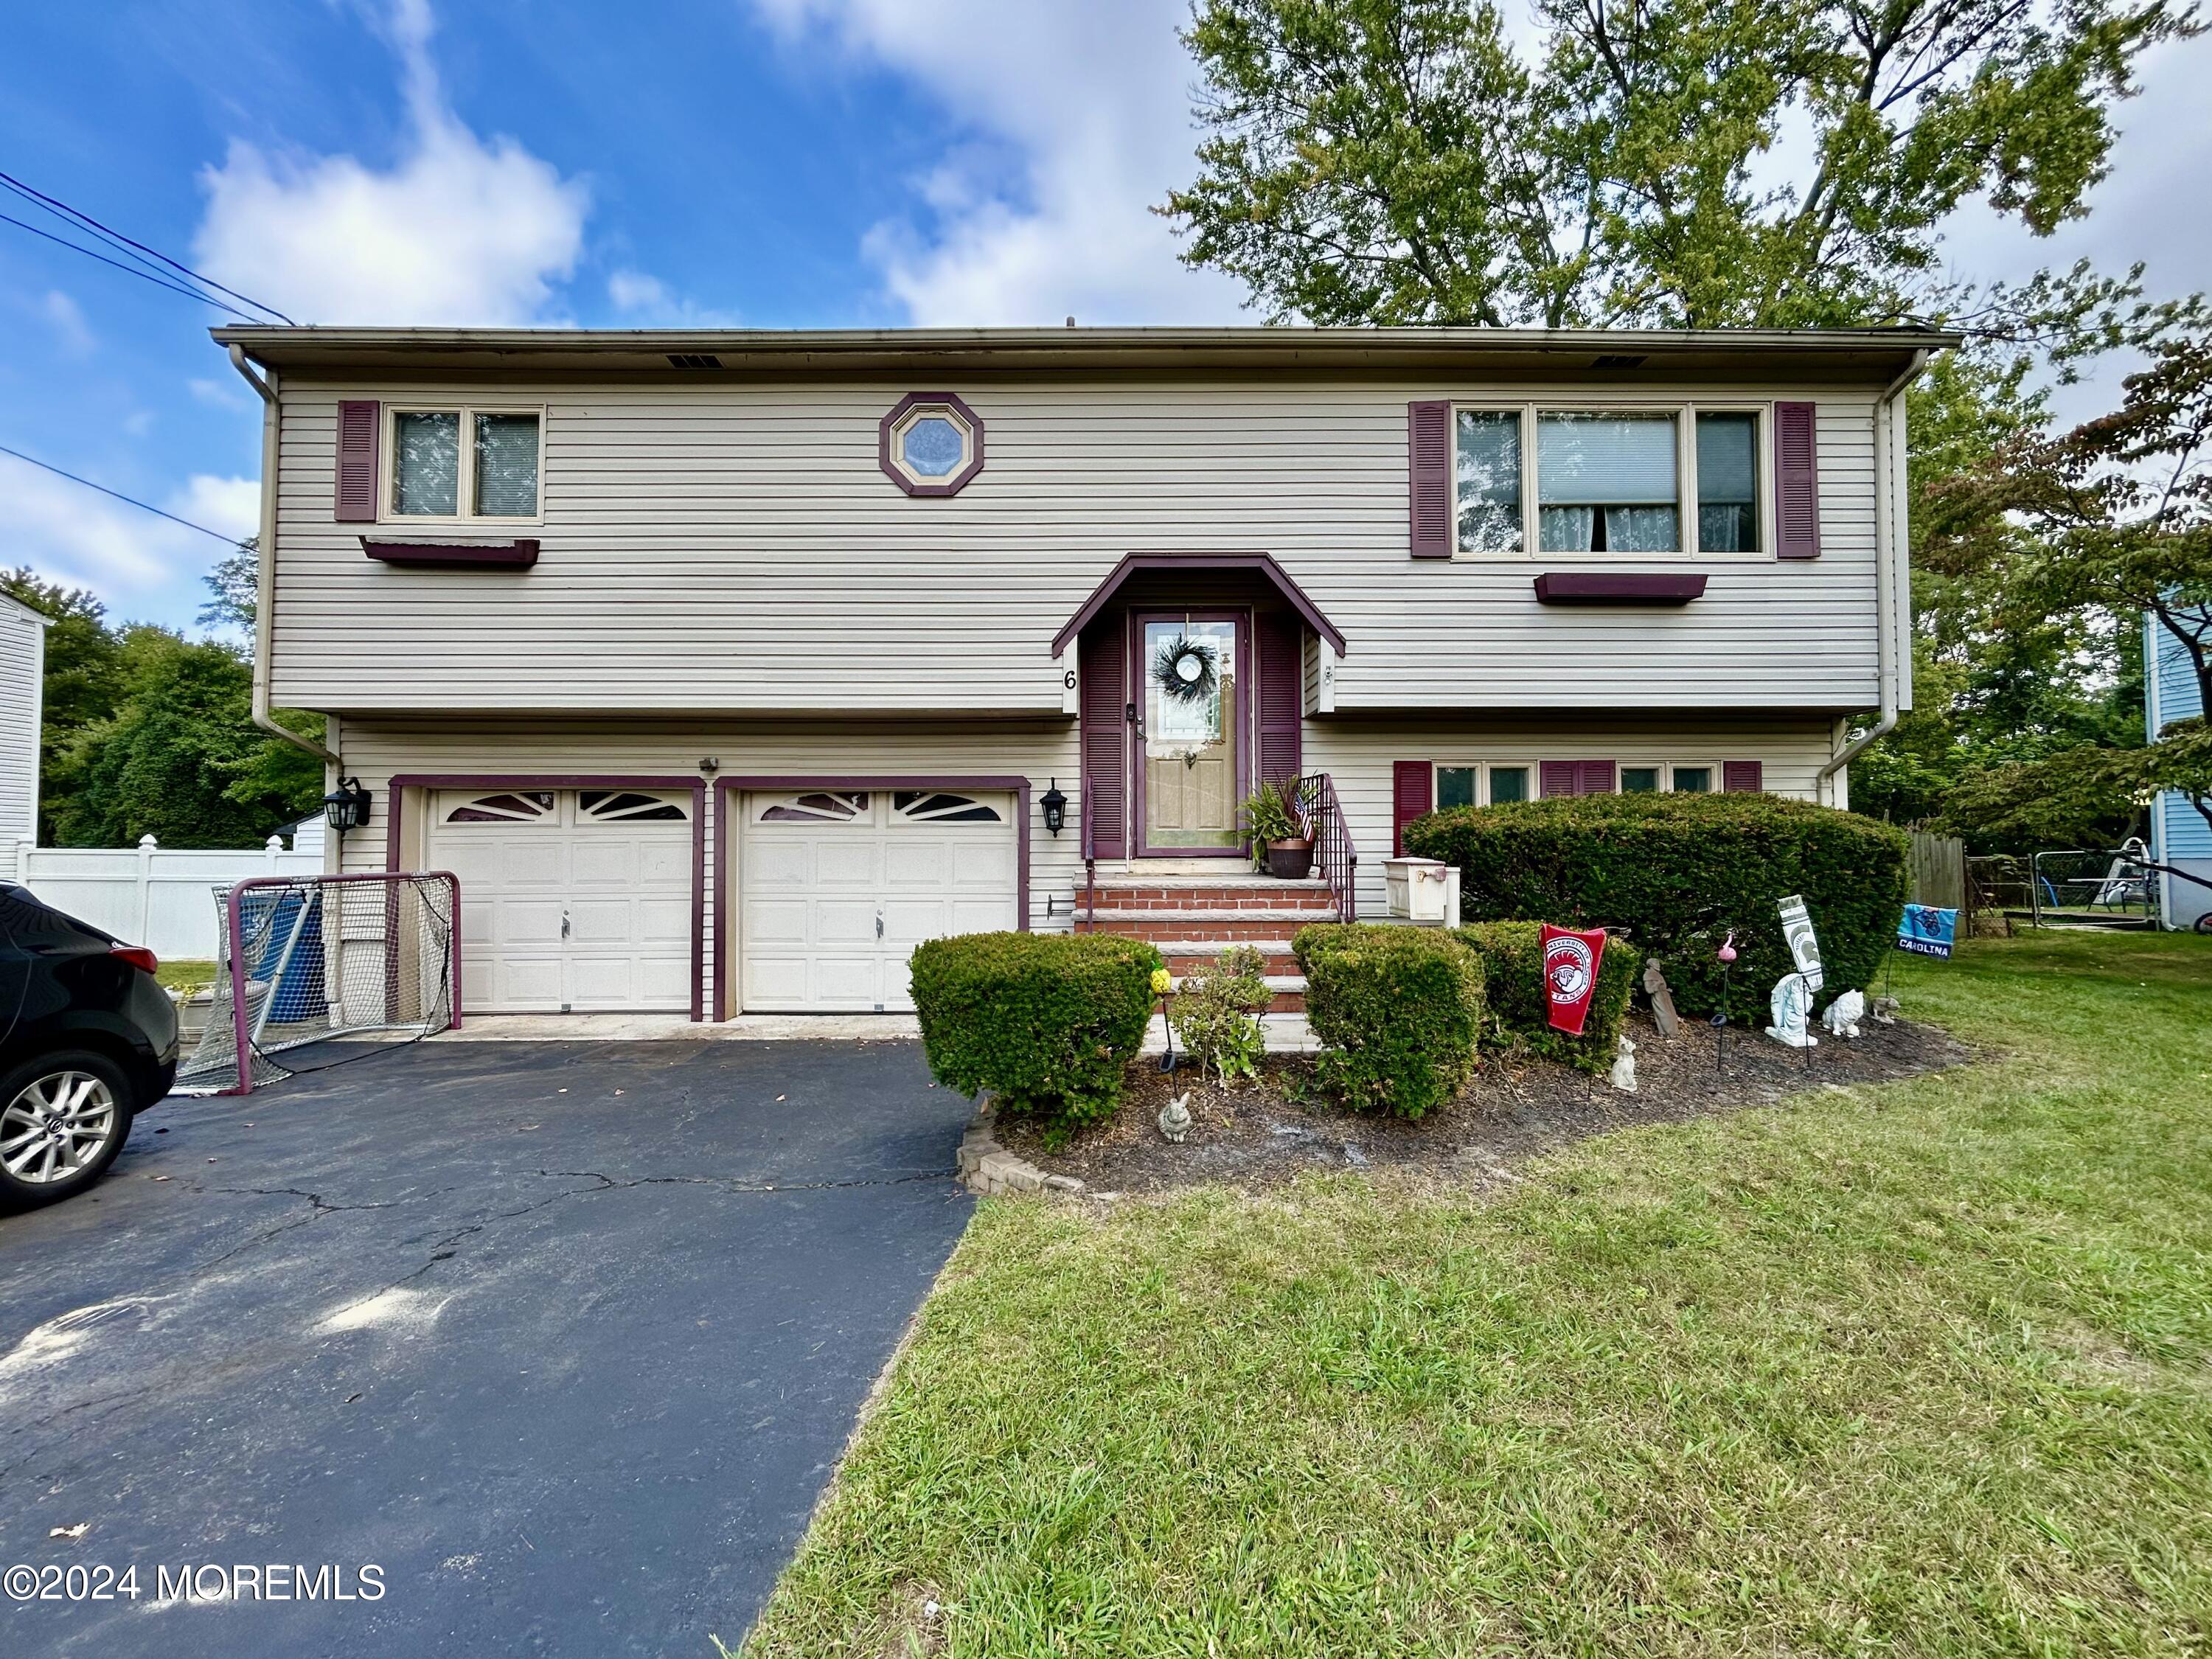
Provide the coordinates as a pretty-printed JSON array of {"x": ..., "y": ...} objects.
[{"x": 154, "y": 897}]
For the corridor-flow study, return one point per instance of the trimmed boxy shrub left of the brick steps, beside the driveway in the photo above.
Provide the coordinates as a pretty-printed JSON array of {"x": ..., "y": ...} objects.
[{"x": 1045, "y": 1021}]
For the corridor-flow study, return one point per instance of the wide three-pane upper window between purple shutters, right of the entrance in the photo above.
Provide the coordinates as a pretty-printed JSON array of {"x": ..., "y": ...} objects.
[{"x": 1611, "y": 479}]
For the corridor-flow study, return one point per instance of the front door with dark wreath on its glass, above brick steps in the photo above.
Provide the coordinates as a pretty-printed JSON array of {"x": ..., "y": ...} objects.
[{"x": 1191, "y": 733}]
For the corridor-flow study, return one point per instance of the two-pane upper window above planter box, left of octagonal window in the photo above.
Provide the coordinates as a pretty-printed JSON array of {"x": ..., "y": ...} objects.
[{"x": 463, "y": 463}]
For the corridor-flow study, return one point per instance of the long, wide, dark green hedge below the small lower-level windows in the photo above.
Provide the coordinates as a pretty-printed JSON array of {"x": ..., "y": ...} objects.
[{"x": 1682, "y": 873}]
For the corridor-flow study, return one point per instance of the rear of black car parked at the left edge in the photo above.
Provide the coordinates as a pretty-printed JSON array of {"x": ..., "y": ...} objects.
[{"x": 87, "y": 1041}]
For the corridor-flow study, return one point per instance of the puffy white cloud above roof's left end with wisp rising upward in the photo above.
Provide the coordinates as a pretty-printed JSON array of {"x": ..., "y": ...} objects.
[{"x": 459, "y": 231}]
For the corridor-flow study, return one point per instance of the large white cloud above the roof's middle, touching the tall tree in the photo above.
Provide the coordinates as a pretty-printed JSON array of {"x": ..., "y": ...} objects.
[{"x": 1094, "y": 103}]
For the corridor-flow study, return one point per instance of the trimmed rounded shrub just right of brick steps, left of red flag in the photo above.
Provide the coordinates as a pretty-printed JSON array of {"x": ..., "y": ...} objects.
[{"x": 1399, "y": 1010}]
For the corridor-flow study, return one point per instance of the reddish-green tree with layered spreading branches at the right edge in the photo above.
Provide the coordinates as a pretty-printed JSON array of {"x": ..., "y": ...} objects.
[{"x": 2105, "y": 523}]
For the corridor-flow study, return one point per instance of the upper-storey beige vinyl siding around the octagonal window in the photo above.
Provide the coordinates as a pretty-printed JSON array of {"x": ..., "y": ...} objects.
[{"x": 735, "y": 547}]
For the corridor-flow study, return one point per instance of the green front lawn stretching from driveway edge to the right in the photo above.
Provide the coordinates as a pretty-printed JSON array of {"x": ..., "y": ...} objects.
[{"x": 1897, "y": 1370}]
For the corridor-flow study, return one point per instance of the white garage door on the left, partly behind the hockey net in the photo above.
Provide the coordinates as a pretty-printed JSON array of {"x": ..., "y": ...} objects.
[{"x": 572, "y": 901}]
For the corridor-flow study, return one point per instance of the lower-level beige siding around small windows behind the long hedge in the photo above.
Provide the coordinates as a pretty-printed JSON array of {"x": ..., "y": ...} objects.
[{"x": 1359, "y": 758}]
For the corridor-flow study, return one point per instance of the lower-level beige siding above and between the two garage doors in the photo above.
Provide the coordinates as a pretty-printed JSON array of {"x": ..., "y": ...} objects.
[{"x": 1014, "y": 749}]
